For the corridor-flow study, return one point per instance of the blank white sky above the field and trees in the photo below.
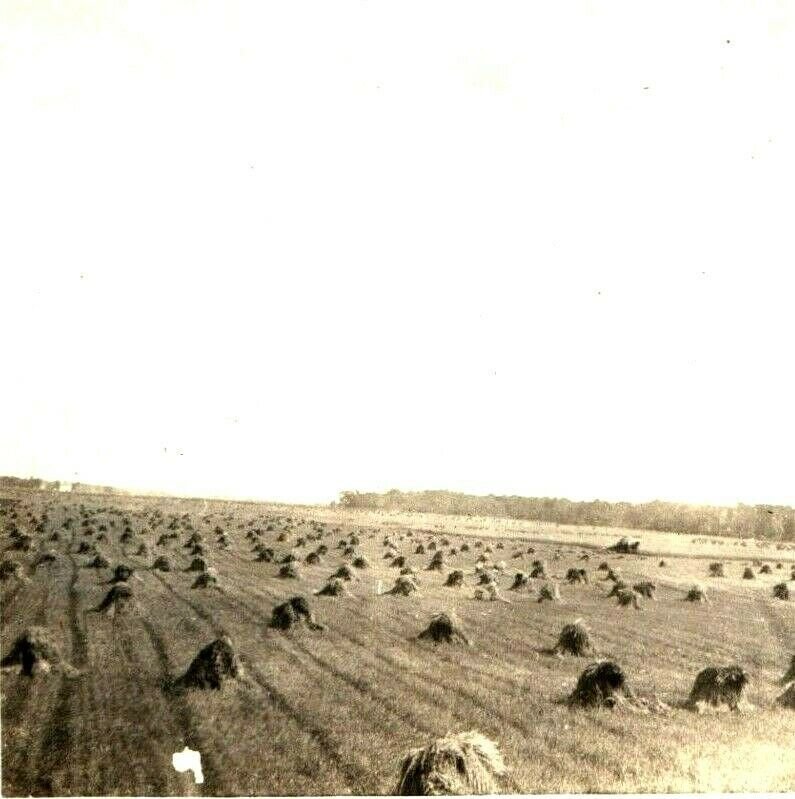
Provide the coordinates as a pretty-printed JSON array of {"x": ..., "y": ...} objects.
[{"x": 282, "y": 249}]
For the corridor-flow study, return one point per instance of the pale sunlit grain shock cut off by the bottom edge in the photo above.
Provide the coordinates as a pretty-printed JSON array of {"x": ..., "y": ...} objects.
[{"x": 465, "y": 763}]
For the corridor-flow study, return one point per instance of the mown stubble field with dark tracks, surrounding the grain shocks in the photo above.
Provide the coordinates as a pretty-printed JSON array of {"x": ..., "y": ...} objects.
[{"x": 341, "y": 698}]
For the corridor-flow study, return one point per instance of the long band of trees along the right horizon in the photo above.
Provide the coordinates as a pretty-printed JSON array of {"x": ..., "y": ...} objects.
[{"x": 774, "y": 522}]
